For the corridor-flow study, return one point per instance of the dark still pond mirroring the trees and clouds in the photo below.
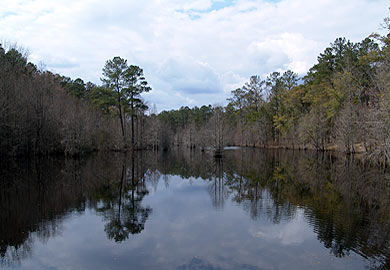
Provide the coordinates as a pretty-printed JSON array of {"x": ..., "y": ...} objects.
[{"x": 185, "y": 210}]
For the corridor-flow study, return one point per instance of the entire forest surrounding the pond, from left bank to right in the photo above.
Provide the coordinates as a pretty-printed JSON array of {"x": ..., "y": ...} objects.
[{"x": 342, "y": 103}]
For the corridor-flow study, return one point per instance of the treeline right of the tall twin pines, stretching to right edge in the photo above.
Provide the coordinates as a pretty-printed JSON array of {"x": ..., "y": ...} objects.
[{"x": 342, "y": 103}]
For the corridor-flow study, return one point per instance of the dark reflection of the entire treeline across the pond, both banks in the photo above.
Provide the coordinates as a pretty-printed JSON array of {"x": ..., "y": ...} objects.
[{"x": 346, "y": 203}]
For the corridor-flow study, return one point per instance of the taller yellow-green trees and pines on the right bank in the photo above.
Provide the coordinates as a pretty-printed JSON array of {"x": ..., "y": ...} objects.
[{"x": 278, "y": 110}]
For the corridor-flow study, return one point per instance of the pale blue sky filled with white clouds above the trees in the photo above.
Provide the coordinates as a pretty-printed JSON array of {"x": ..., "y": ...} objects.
[{"x": 192, "y": 52}]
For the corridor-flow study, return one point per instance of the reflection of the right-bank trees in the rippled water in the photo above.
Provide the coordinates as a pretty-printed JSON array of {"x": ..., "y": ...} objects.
[{"x": 347, "y": 203}]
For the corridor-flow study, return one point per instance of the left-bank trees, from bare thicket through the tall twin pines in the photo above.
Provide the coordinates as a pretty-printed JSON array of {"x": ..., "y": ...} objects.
[{"x": 44, "y": 113}]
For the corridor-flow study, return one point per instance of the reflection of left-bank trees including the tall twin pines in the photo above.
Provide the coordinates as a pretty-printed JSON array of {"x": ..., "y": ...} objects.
[{"x": 37, "y": 195}]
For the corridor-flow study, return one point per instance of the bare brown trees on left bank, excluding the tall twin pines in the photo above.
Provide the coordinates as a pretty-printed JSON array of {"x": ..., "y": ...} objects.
[{"x": 44, "y": 113}]
